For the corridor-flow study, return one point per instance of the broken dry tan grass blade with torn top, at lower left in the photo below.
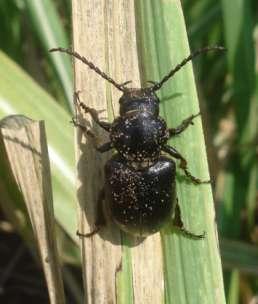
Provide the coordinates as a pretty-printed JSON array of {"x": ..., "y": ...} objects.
[{"x": 25, "y": 146}]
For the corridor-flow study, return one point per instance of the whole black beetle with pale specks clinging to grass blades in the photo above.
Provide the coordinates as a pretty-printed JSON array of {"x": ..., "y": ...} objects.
[{"x": 140, "y": 189}]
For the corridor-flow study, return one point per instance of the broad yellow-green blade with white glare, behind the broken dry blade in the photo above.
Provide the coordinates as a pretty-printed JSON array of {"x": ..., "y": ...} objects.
[{"x": 19, "y": 94}]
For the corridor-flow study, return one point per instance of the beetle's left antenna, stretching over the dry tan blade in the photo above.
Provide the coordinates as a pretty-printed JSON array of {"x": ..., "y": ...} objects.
[{"x": 90, "y": 65}]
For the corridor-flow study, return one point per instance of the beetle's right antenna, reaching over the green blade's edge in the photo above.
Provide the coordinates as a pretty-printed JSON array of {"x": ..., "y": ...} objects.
[{"x": 158, "y": 85}]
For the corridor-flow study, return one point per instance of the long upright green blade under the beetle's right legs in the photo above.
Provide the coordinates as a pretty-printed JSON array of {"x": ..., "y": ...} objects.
[{"x": 192, "y": 268}]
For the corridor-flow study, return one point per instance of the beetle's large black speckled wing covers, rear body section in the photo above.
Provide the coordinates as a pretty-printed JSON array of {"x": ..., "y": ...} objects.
[{"x": 140, "y": 201}]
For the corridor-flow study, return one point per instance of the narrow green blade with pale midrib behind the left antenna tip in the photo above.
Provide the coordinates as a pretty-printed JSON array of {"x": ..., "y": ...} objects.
[{"x": 49, "y": 28}]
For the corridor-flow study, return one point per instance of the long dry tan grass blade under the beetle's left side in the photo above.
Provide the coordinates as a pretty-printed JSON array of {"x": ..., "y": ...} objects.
[{"x": 104, "y": 32}]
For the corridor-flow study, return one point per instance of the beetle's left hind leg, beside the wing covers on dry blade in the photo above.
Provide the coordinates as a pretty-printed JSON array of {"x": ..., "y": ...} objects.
[{"x": 100, "y": 221}]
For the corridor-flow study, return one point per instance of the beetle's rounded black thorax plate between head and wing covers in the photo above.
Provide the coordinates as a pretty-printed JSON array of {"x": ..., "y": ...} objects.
[{"x": 139, "y": 135}]
